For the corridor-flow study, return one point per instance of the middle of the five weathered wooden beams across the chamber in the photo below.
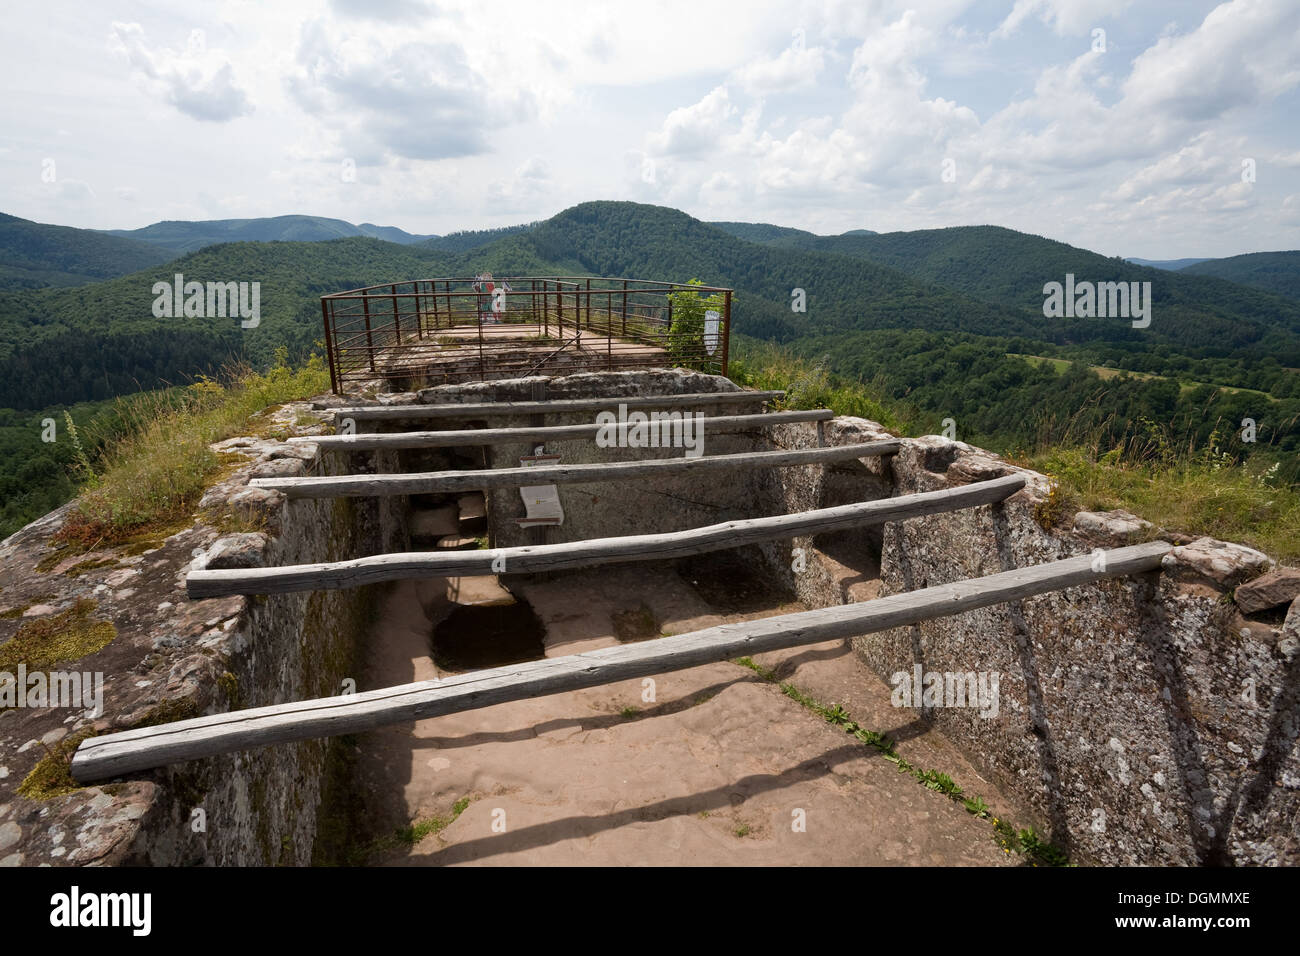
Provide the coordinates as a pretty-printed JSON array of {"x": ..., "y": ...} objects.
[{"x": 483, "y": 479}]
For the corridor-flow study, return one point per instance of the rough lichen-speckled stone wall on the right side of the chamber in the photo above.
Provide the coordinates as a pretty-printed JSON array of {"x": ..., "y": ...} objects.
[{"x": 1121, "y": 723}]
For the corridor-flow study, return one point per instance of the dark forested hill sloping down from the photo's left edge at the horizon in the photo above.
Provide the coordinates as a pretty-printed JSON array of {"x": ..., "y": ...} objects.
[{"x": 34, "y": 256}]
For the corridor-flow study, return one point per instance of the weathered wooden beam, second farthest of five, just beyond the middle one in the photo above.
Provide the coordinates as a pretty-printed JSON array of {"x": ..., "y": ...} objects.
[{"x": 502, "y": 436}]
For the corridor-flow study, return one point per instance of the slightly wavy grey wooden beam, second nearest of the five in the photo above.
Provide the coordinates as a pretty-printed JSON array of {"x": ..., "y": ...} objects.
[{"x": 606, "y": 551}]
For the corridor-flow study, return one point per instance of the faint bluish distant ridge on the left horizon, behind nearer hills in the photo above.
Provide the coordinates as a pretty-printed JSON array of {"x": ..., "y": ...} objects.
[{"x": 184, "y": 236}]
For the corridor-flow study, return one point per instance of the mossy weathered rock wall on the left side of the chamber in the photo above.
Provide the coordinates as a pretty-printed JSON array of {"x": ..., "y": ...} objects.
[{"x": 175, "y": 657}]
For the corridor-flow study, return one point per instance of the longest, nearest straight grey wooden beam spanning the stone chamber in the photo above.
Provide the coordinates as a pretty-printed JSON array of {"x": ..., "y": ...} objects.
[{"x": 127, "y": 752}]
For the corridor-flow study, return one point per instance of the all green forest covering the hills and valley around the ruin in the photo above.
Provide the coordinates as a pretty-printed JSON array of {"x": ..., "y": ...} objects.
[{"x": 947, "y": 325}]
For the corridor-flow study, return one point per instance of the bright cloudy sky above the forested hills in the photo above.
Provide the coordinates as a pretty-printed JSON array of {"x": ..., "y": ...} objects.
[{"x": 1138, "y": 129}]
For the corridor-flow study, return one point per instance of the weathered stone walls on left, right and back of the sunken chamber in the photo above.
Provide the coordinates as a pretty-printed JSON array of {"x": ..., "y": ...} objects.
[{"x": 1123, "y": 724}]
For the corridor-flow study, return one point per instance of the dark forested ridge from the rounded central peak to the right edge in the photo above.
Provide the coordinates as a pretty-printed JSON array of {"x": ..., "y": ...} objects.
[{"x": 981, "y": 280}]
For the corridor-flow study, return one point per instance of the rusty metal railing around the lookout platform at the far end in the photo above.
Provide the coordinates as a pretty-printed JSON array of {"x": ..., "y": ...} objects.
[{"x": 443, "y": 331}]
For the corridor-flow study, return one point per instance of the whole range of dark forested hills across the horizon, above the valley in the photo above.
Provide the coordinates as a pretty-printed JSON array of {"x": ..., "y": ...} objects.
[{"x": 102, "y": 340}]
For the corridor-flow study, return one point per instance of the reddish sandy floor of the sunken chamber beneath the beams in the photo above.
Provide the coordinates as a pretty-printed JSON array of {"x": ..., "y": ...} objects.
[{"x": 718, "y": 769}]
